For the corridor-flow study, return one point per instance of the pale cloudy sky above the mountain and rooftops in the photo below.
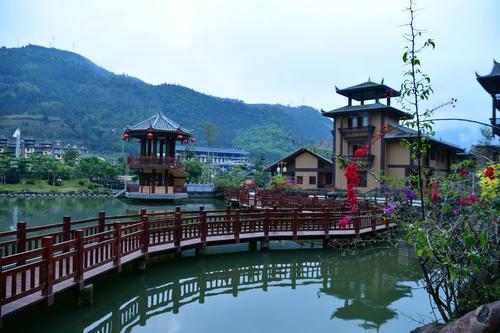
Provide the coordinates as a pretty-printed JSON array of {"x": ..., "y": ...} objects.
[{"x": 292, "y": 52}]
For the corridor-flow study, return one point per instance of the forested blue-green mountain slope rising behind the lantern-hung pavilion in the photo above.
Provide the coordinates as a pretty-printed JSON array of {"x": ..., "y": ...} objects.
[{"x": 55, "y": 94}]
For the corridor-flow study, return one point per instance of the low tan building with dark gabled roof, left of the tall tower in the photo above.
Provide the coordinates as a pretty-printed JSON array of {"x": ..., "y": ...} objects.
[{"x": 309, "y": 169}]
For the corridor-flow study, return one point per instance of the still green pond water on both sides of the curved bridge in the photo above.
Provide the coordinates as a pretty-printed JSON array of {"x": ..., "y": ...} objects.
[{"x": 294, "y": 287}]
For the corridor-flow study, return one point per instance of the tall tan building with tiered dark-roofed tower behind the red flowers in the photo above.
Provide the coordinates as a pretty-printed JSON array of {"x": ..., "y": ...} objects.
[{"x": 356, "y": 126}]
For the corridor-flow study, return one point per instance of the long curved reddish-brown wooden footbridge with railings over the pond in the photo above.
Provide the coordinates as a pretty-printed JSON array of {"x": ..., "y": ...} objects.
[{"x": 40, "y": 261}]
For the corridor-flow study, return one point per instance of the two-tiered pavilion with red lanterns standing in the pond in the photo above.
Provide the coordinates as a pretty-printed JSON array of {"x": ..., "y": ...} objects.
[{"x": 161, "y": 175}]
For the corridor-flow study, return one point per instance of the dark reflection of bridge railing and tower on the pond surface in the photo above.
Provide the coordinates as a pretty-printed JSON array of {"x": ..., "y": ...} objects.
[{"x": 367, "y": 286}]
